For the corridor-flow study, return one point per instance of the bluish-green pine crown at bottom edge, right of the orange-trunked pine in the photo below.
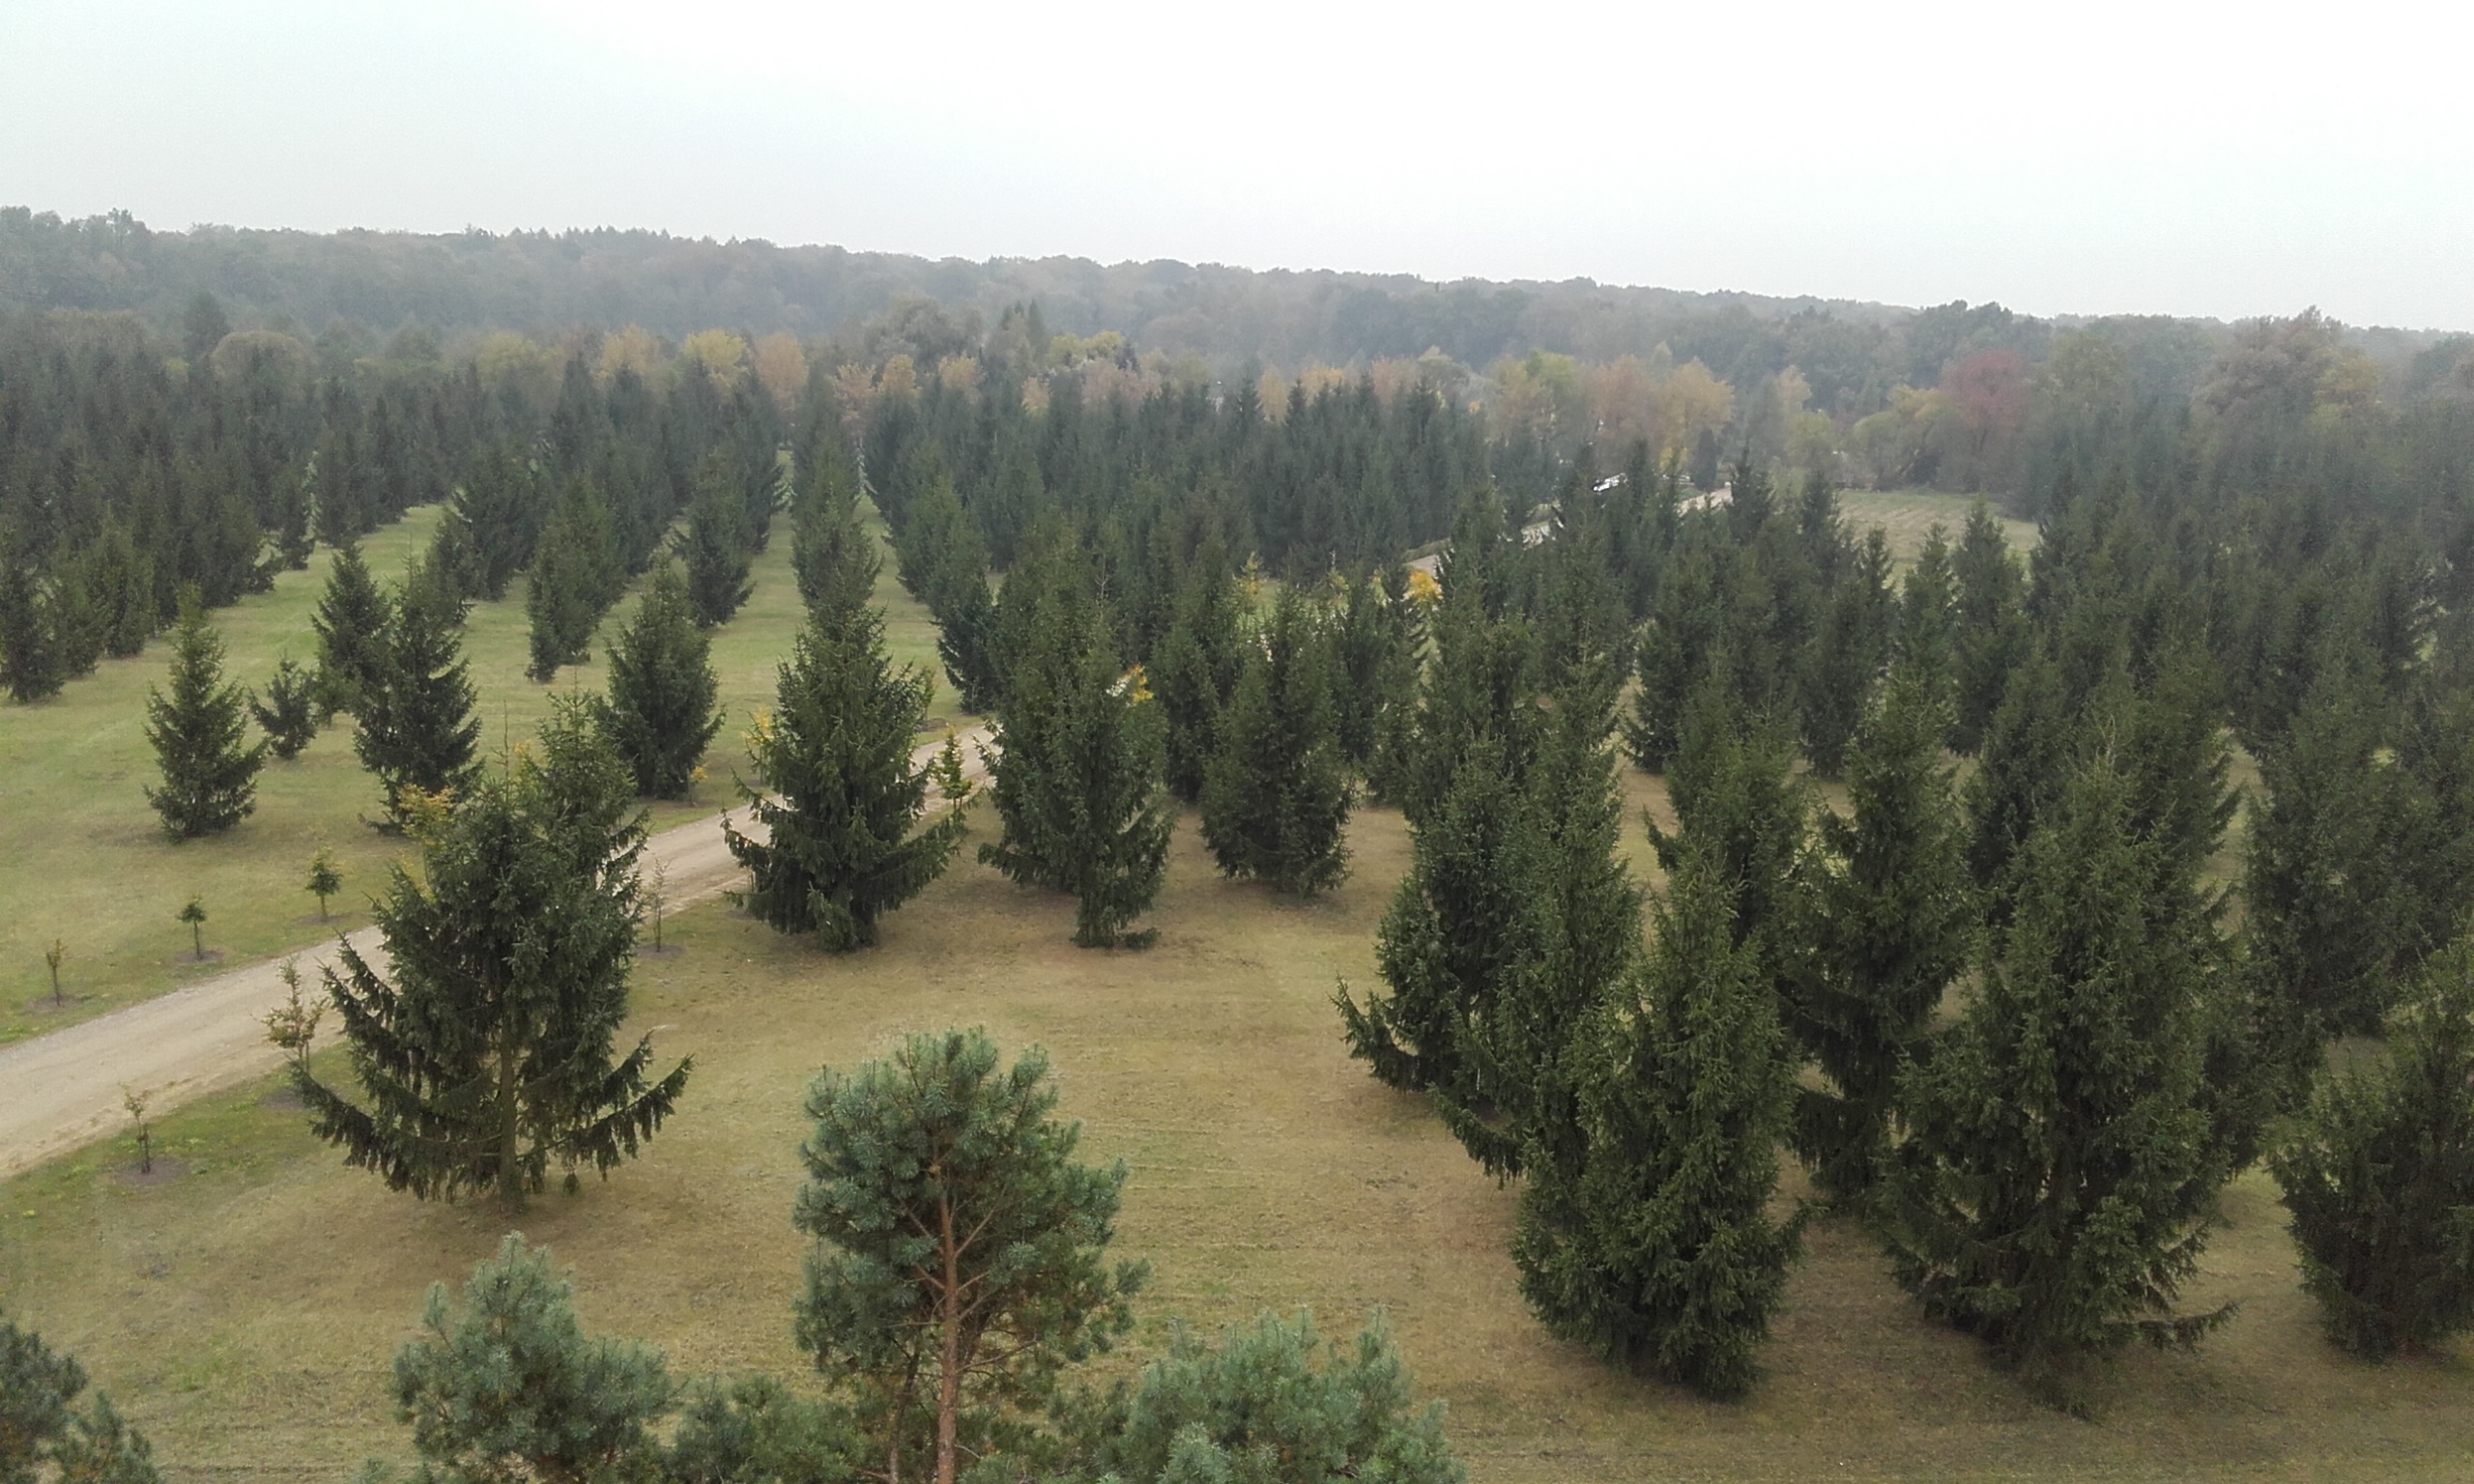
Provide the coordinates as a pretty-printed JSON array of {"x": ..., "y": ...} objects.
[{"x": 1273, "y": 1404}]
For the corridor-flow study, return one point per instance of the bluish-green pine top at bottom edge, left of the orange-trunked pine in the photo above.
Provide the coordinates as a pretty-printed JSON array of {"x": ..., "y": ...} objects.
[{"x": 511, "y": 1386}]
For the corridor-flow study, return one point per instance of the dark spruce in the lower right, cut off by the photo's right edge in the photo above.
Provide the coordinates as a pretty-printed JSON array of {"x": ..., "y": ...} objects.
[{"x": 2381, "y": 1176}]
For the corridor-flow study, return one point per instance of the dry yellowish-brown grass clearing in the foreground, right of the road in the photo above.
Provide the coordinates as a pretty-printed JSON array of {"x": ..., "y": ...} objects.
[{"x": 246, "y": 1307}]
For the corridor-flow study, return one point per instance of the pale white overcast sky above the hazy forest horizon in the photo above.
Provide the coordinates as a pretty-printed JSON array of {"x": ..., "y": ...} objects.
[{"x": 2089, "y": 157}]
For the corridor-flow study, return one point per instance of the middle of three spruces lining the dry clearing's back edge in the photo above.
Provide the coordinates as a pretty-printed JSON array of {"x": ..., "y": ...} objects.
[{"x": 1077, "y": 778}]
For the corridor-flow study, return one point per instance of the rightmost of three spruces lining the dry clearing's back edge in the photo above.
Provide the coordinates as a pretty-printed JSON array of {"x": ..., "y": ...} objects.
[{"x": 1278, "y": 798}]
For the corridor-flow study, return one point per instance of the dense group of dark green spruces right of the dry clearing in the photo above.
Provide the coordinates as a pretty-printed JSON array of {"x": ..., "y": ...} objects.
[{"x": 1993, "y": 1003}]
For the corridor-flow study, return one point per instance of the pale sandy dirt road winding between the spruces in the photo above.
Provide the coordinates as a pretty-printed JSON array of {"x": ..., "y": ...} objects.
[{"x": 66, "y": 1090}]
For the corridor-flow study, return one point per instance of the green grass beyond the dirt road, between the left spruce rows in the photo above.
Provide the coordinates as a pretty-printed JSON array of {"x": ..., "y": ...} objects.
[{"x": 85, "y": 862}]
